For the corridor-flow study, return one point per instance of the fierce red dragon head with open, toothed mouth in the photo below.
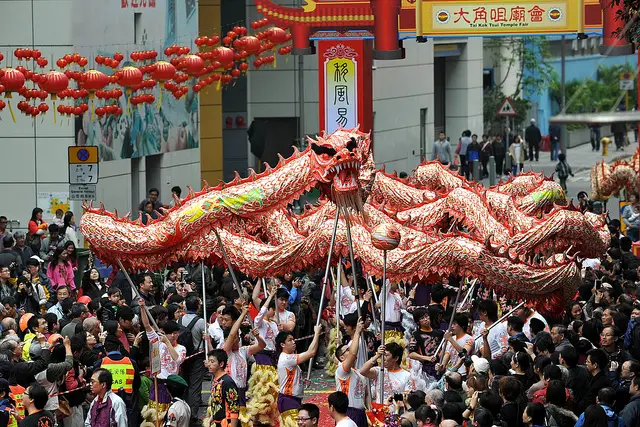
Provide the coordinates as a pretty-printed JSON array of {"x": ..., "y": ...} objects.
[{"x": 336, "y": 161}]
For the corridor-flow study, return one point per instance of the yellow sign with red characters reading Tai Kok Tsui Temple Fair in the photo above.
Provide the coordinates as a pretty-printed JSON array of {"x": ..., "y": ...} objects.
[{"x": 478, "y": 18}]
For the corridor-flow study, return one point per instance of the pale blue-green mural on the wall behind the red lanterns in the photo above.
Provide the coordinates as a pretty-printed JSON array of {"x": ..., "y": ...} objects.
[{"x": 143, "y": 129}]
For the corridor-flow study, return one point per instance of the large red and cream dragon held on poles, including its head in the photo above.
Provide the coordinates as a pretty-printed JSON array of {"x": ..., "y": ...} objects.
[{"x": 520, "y": 237}]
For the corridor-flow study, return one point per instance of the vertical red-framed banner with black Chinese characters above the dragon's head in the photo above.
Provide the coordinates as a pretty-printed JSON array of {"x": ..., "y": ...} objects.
[{"x": 345, "y": 83}]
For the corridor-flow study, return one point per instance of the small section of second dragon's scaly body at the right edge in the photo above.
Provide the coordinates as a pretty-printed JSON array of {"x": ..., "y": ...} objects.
[{"x": 608, "y": 179}]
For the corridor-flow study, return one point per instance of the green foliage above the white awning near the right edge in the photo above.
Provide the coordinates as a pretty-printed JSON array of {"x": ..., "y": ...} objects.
[{"x": 582, "y": 96}]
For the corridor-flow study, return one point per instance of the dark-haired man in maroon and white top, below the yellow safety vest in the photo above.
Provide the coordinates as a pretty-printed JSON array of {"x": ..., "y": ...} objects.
[{"x": 107, "y": 408}]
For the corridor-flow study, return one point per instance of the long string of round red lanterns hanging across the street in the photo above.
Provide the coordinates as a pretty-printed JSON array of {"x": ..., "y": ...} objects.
[{"x": 218, "y": 60}]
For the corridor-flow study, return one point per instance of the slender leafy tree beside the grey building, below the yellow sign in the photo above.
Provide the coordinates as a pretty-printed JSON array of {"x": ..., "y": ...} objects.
[{"x": 528, "y": 58}]
